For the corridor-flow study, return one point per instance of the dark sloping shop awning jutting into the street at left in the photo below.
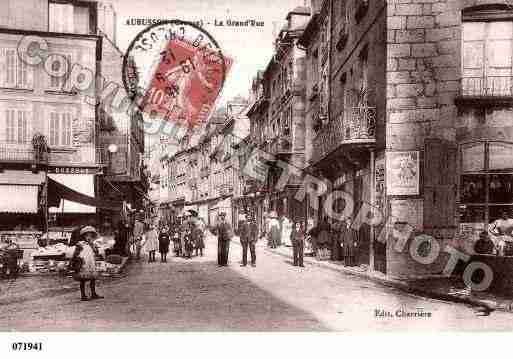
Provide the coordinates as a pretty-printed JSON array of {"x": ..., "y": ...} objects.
[{"x": 58, "y": 191}]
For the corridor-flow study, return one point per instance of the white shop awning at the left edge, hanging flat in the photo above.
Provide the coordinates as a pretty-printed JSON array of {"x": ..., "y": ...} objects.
[{"x": 18, "y": 198}]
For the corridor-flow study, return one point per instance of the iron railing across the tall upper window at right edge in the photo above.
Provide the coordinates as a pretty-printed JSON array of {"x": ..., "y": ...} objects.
[{"x": 487, "y": 86}]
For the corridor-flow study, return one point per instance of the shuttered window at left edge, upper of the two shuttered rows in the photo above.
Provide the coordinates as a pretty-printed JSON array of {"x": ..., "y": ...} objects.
[{"x": 15, "y": 73}]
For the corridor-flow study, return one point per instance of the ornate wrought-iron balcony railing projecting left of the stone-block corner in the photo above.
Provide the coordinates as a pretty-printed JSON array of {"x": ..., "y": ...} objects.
[{"x": 356, "y": 127}]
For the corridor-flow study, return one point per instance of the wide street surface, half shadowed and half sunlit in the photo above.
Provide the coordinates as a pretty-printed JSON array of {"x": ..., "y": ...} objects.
[{"x": 193, "y": 295}]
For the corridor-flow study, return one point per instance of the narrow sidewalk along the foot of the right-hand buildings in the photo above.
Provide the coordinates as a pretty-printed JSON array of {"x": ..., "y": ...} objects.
[{"x": 443, "y": 288}]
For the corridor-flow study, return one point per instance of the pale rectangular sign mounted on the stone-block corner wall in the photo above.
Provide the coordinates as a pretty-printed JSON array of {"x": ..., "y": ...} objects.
[{"x": 402, "y": 173}]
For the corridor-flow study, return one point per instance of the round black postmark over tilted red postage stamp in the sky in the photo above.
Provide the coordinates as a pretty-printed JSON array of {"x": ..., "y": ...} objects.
[{"x": 175, "y": 70}]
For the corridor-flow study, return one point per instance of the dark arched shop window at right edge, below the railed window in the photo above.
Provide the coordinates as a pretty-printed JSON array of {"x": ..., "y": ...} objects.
[{"x": 486, "y": 182}]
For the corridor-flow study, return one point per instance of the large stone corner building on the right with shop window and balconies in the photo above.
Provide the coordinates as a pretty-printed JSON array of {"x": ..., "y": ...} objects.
[{"x": 414, "y": 122}]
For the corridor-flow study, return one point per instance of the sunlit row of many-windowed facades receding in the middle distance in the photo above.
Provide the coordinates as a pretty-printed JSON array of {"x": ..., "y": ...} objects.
[{"x": 201, "y": 173}]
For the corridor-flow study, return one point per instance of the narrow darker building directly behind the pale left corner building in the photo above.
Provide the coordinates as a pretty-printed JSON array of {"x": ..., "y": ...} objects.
[{"x": 121, "y": 140}]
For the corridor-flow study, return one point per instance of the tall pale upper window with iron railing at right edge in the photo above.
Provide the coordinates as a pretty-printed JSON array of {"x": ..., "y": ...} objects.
[{"x": 487, "y": 58}]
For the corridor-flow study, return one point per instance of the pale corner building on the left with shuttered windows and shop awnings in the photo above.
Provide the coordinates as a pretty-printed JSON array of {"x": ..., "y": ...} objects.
[{"x": 49, "y": 121}]
